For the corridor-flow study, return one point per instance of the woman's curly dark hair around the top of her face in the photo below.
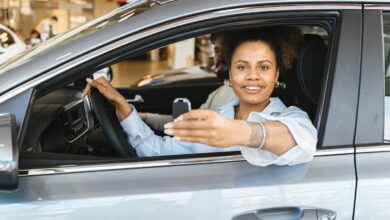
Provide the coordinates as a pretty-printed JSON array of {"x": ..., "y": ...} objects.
[{"x": 283, "y": 40}]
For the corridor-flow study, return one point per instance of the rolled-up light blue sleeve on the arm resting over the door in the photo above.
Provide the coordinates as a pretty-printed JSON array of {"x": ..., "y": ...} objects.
[{"x": 302, "y": 130}]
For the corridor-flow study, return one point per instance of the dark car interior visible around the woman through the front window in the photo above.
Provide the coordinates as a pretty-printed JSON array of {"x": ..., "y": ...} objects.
[{"x": 66, "y": 128}]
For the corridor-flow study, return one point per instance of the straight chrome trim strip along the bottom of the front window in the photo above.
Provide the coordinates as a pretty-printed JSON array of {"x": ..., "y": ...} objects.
[{"x": 162, "y": 163}]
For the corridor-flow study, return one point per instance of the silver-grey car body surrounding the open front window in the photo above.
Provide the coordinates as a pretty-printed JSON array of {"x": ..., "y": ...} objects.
[{"x": 348, "y": 178}]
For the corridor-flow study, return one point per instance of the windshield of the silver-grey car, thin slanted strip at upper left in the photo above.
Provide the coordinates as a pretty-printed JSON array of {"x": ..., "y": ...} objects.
[{"x": 121, "y": 14}]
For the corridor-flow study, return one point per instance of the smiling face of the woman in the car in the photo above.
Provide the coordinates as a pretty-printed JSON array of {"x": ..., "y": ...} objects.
[{"x": 253, "y": 72}]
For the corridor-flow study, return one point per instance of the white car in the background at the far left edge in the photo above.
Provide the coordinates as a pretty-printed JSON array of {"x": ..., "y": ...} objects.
[{"x": 10, "y": 44}]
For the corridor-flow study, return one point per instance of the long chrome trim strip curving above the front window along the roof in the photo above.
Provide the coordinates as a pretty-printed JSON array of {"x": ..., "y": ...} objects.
[{"x": 168, "y": 25}]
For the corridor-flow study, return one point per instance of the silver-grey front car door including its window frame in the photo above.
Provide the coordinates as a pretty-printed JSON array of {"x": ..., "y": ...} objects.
[{"x": 220, "y": 186}]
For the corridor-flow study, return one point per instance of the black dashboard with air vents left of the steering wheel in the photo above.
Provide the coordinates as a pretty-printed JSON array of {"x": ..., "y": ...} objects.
[{"x": 58, "y": 120}]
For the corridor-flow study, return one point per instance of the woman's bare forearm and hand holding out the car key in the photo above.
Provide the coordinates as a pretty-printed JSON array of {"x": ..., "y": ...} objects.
[{"x": 208, "y": 127}]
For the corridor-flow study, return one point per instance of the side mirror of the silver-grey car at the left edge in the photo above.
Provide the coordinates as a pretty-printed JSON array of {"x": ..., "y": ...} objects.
[{"x": 8, "y": 153}]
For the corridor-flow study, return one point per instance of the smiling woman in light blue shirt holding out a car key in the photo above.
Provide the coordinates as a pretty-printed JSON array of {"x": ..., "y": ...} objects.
[{"x": 263, "y": 128}]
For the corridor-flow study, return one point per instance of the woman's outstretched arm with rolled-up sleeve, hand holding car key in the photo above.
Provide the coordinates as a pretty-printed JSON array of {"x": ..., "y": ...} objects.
[{"x": 290, "y": 139}]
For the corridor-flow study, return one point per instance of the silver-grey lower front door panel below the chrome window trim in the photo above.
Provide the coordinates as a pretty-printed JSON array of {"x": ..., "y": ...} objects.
[{"x": 203, "y": 191}]
